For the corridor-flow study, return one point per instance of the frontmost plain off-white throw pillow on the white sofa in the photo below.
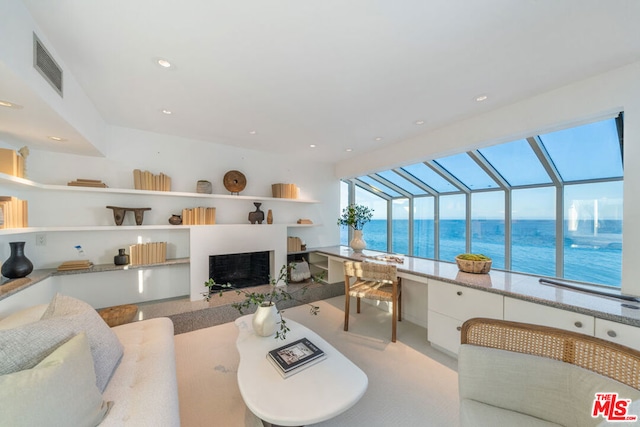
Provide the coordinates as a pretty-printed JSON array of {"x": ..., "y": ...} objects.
[{"x": 58, "y": 391}]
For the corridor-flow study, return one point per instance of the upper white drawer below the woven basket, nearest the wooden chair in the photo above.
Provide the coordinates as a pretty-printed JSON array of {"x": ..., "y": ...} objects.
[{"x": 463, "y": 303}]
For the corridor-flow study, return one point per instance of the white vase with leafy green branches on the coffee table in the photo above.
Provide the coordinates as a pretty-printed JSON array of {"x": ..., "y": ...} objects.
[{"x": 267, "y": 317}]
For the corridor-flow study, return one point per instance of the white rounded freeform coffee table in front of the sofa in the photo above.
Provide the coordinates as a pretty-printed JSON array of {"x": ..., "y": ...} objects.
[{"x": 315, "y": 394}]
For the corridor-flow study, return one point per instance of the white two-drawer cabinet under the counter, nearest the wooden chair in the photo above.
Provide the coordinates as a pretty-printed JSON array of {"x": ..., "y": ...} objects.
[{"x": 450, "y": 305}]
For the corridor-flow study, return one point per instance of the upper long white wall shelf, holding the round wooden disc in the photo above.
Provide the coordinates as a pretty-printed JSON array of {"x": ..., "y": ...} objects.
[{"x": 25, "y": 183}]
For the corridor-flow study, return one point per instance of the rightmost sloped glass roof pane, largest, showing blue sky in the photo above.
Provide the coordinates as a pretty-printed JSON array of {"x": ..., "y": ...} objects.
[{"x": 586, "y": 152}]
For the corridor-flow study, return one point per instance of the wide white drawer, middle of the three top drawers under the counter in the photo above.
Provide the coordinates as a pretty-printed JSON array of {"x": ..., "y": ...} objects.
[{"x": 522, "y": 311}]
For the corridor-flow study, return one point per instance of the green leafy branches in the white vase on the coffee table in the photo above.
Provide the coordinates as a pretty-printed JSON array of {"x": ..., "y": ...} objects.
[{"x": 265, "y": 299}]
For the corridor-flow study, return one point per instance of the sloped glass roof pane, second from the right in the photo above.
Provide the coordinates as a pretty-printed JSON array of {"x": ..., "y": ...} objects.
[{"x": 516, "y": 163}]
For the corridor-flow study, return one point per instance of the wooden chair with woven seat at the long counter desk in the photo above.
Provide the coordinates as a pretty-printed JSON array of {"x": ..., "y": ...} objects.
[{"x": 373, "y": 281}]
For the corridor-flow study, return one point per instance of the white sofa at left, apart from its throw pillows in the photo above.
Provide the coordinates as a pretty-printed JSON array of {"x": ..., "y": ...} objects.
[{"x": 142, "y": 390}]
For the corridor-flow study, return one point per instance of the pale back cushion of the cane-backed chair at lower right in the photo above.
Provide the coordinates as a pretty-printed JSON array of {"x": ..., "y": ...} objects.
[{"x": 544, "y": 388}]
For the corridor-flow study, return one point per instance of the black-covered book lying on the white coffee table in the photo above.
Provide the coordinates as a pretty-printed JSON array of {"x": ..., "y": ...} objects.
[{"x": 296, "y": 356}]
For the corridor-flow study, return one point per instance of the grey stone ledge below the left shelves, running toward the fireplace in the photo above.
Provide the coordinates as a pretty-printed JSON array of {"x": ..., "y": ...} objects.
[{"x": 9, "y": 287}]
